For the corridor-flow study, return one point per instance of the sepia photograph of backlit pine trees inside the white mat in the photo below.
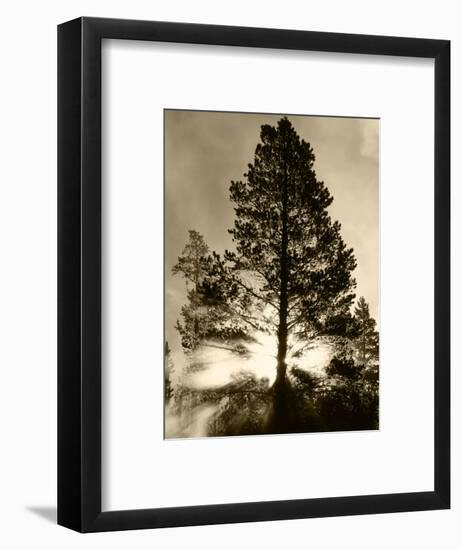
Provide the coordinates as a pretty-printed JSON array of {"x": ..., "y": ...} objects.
[{"x": 271, "y": 274}]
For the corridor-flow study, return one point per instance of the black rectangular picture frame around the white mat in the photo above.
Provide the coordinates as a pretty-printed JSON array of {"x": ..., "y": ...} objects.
[{"x": 79, "y": 274}]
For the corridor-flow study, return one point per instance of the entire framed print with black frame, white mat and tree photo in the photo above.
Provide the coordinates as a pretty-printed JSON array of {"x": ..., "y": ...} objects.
[{"x": 253, "y": 274}]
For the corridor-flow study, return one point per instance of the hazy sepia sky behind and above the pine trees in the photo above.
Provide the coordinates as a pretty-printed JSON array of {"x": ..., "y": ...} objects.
[{"x": 204, "y": 151}]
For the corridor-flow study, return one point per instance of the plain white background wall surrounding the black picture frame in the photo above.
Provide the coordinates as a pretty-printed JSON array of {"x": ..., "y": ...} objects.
[{"x": 28, "y": 272}]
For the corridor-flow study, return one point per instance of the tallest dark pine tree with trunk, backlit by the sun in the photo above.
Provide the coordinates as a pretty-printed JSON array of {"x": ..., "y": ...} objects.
[{"x": 291, "y": 272}]
